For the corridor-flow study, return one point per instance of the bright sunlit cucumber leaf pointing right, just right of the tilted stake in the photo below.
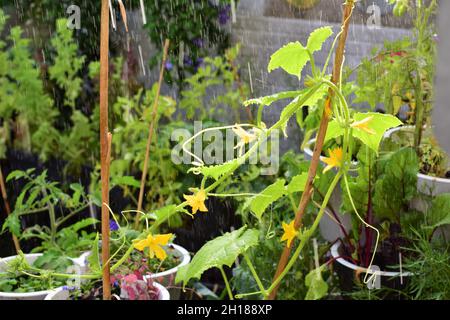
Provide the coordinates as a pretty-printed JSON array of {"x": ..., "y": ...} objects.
[{"x": 380, "y": 123}]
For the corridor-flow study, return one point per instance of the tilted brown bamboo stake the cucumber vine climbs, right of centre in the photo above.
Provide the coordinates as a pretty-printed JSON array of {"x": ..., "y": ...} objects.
[{"x": 306, "y": 196}]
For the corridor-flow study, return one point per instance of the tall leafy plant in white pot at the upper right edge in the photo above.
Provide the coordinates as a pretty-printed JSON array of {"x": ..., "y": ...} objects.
[{"x": 404, "y": 72}]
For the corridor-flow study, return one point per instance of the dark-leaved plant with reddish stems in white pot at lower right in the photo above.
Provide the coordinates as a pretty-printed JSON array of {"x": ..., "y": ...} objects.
[{"x": 380, "y": 197}]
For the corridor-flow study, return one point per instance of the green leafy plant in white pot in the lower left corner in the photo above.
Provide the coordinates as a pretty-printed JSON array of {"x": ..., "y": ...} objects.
[{"x": 60, "y": 243}]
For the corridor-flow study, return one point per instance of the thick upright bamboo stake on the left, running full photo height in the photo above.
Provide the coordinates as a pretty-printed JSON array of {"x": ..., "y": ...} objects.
[{"x": 104, "y": 148}]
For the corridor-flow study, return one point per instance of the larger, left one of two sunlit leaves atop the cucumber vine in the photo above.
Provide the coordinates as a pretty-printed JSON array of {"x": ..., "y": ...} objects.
[{"x": 292, "y": 58}]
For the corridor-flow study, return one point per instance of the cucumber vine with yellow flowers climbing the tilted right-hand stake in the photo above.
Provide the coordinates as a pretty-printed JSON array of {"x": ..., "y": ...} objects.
[{"x": 366, "y": 127}]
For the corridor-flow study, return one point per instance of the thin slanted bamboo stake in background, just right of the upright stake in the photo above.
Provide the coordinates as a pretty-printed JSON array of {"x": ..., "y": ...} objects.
[{"x": 150, "y": 133}]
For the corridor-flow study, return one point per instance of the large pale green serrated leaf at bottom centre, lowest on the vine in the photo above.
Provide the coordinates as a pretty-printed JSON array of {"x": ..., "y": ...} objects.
[{"x": 222, "y": 251}]
